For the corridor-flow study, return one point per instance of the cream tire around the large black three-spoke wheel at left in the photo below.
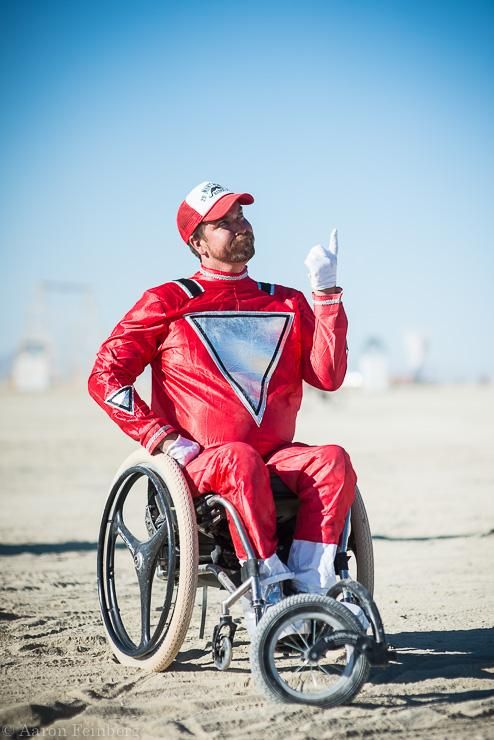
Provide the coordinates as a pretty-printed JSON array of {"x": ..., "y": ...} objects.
[{"x": 171, "y": 476}]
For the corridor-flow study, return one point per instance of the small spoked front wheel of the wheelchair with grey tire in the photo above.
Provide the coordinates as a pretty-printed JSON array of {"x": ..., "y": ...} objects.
[{"x": 281, "y": 667}]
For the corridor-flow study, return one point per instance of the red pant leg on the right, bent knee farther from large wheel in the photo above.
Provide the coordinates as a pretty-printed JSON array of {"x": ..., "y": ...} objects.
[{"x": 324, "y": 480}]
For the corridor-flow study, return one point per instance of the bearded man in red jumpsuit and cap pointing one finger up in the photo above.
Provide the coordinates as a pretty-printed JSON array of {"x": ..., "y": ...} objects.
[{"x": 228, "y": 357}]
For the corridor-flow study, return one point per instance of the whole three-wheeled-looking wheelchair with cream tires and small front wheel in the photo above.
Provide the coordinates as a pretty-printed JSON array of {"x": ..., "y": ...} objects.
[{"x": 157, "y": 545}]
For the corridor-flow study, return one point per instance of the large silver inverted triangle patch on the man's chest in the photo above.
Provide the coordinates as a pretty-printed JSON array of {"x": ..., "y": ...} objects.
[{"x": 246, "y": 347}]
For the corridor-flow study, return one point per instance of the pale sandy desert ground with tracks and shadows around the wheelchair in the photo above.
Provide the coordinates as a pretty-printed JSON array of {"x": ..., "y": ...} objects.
[{"x": 426, "y": 468}]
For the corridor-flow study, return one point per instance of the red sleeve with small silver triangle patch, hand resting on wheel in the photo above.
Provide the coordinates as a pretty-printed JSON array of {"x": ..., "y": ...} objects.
[{"x": 131, "y": 346}]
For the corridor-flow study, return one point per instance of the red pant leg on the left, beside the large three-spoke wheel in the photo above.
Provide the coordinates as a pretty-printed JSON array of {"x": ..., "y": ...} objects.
[{"x": 237, "y": 472}]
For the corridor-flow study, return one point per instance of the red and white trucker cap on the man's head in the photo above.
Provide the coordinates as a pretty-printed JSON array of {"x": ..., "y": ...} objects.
[{"x": 206, "y": 202}]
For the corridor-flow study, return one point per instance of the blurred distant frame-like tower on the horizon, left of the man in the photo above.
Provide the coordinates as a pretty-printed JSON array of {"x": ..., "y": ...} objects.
[{"x": 59, "y": 336}]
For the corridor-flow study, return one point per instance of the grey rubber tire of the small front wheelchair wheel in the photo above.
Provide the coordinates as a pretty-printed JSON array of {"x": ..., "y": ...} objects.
[{"x": 266, "y": 677}]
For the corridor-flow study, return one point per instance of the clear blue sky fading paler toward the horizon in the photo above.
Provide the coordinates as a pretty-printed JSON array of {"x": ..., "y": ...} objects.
[{"x": 375, "y": 117}]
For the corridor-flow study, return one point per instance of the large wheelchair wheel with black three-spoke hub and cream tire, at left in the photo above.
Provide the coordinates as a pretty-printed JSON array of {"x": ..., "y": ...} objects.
[{"x": 147, "y": 561}]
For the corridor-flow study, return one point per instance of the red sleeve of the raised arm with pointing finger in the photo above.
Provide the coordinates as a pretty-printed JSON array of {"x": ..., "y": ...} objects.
[{"x": 324, "y": 347}]
